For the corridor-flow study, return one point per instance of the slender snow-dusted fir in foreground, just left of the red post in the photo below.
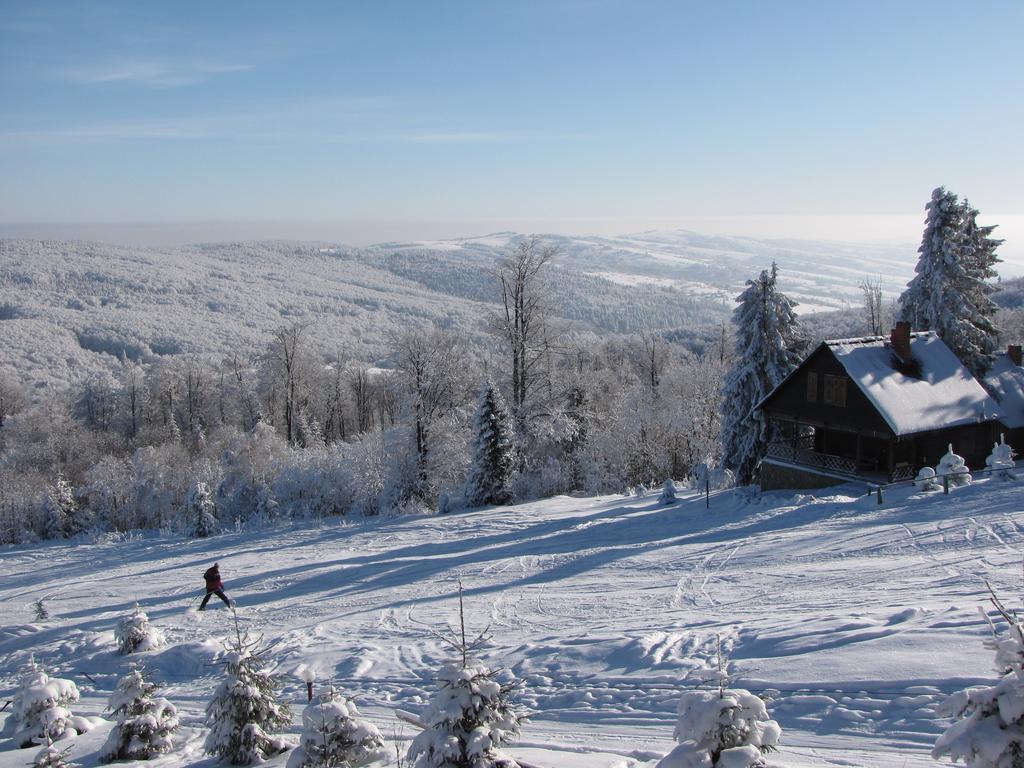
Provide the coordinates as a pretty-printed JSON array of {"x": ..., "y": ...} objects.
[{"x": 245, "y": 709}]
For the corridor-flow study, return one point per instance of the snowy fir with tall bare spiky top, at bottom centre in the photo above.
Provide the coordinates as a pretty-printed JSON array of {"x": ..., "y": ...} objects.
[{"x": 472, "y": 716}]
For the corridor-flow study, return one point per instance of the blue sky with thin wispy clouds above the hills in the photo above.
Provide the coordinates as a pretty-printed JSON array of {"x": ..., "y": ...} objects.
[{"x": 355, "y": 120}]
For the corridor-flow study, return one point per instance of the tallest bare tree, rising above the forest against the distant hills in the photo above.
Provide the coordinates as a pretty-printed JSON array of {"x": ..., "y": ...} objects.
[{"x": 524, "y": 318}]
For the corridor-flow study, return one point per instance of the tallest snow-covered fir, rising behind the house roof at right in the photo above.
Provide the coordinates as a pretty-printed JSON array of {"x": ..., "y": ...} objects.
[{"x": 951, "y": 293}]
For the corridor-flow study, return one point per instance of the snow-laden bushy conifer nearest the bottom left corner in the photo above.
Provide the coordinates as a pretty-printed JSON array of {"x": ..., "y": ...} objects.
[{"x": 40, "y": 709}]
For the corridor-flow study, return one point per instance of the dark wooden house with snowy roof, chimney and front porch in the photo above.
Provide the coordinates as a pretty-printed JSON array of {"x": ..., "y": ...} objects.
[{"x": 876, "y": 409}]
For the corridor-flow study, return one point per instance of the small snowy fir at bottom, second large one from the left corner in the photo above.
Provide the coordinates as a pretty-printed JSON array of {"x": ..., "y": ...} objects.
[{"x": 146, "y": 723}]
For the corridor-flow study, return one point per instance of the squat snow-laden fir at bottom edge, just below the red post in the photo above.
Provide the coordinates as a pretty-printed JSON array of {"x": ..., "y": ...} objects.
[{"x": 335, "y": 737}]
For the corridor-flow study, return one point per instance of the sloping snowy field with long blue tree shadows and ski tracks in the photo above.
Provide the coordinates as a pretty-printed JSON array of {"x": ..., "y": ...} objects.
[{"x": 855, "y": 619}]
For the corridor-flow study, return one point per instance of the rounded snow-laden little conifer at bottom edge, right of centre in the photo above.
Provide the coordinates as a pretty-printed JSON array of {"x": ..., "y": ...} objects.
[{"x": 726, "y": 729}]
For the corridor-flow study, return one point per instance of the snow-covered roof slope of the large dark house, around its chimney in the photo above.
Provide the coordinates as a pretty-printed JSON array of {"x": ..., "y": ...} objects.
[{"x": 946, "y": 395}]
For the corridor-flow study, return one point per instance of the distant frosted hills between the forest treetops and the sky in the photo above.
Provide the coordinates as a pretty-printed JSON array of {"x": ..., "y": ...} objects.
[{"x": 69, "y": 309}]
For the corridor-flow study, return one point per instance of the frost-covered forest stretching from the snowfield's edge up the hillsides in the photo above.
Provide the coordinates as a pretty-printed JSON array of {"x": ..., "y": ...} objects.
[{"x": 311, "y": 424}]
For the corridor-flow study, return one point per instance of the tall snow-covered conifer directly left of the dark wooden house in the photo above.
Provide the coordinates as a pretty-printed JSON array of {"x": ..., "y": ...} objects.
[{"x": 769, "y": 348}]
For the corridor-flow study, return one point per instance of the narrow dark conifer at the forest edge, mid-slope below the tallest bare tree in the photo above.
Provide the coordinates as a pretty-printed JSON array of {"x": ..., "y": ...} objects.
[{"x": 494, "y": 452}]
